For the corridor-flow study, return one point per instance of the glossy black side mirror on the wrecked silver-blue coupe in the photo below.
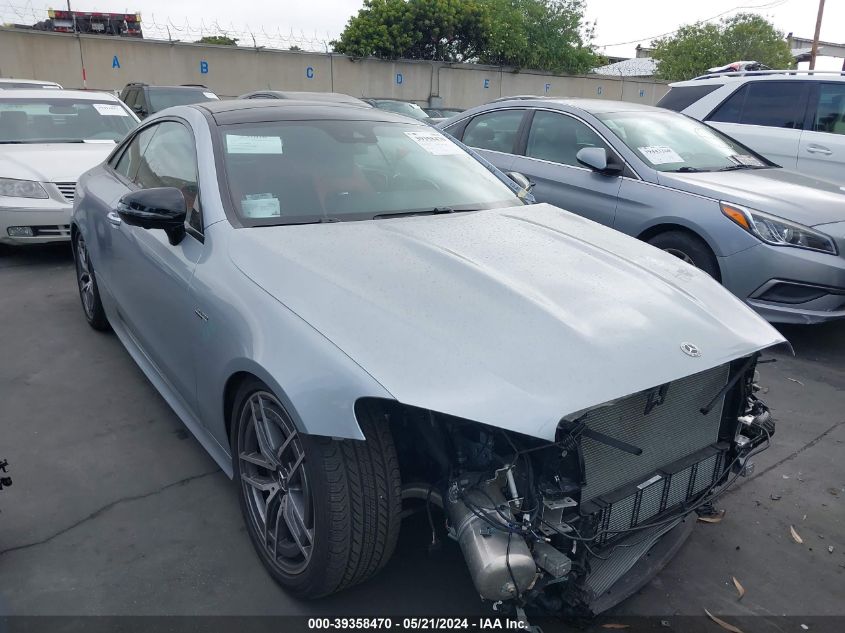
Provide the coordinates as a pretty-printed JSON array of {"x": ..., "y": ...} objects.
[{"x": 160, "y": 208}]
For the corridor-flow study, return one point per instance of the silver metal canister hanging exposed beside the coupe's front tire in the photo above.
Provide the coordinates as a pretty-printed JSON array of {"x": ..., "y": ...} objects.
[{"x": 500, "y": 570}]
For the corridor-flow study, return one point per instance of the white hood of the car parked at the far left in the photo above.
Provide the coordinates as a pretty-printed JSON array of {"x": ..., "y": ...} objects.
[{"x": 51, "y": 162}]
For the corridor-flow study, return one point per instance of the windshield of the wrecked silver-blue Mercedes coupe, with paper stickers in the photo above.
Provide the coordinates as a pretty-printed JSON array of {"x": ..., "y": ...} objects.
[{"x": 291, "y": 172}]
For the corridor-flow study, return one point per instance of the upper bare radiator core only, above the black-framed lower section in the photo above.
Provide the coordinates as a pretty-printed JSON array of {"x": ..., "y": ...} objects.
[{"x": 669, "y": 431}]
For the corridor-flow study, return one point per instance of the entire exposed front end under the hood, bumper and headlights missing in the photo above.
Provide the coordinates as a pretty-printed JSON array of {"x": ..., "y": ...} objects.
[{"x": 563, "y": 527}]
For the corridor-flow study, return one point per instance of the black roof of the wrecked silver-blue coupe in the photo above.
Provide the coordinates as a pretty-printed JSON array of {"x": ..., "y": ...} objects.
[{"x": 259, "y": 110}]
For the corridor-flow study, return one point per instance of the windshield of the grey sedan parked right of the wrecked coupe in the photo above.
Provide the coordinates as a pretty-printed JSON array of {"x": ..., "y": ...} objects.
[{"x": 673, "y": 142}]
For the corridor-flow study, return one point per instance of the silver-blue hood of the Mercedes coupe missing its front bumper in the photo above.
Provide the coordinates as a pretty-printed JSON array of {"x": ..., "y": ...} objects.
[{"x": 512, "y": 317}]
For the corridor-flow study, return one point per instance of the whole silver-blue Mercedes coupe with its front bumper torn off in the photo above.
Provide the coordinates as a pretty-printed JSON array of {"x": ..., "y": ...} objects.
[{"x": 349, "y": 311}]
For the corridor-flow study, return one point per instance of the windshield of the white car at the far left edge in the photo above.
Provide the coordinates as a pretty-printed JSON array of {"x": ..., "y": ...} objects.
[{"x": 46, "y": 120}]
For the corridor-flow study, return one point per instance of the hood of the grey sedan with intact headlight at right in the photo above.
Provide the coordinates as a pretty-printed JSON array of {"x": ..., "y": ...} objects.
[{"x": 781, "y": 192}]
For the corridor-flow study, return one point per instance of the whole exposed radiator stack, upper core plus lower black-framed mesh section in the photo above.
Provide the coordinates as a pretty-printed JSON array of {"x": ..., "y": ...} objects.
[{"x": 681, "y": 455}]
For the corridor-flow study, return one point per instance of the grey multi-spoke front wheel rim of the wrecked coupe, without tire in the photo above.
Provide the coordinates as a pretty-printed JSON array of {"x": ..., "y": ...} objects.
[{"x": 275, "y": 482}]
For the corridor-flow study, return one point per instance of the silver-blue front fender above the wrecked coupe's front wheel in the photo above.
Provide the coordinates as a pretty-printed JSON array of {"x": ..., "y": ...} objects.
[{"x": 249, "y": 332}]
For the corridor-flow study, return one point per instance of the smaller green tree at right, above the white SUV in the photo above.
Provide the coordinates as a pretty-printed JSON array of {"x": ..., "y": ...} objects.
[{"x": 696, "y": 47}]
